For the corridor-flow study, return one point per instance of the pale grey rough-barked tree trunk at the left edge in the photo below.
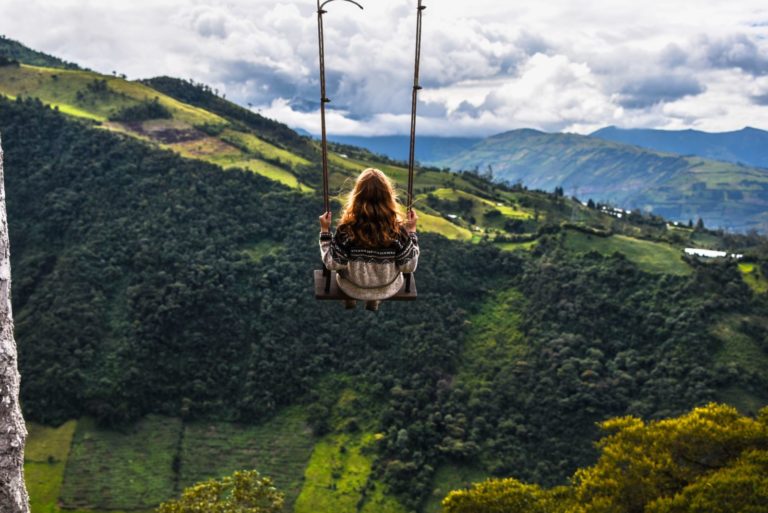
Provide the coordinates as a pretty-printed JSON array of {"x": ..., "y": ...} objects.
[{"x": 13, "y": 432}]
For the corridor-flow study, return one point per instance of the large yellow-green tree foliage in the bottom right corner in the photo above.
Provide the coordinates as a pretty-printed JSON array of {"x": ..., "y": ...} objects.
[{"x": 711, "y": 460}]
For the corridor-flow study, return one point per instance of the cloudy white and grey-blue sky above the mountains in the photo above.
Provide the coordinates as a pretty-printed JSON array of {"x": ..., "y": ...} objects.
[{"x": 488, "y": 65}]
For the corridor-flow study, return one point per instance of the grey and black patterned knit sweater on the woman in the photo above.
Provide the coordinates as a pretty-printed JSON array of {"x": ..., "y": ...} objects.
[{"x": 365, "y": 273}]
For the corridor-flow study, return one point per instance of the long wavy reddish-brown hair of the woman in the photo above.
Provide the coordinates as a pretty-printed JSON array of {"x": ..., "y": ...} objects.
[{"x": 371, "y": 217}]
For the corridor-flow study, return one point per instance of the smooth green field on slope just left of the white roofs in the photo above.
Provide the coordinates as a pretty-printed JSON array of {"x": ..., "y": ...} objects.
[{"x": 653, "y": 257}]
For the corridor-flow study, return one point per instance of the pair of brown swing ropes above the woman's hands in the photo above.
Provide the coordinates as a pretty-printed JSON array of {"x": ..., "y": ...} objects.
[{"x": 324, "y": 100}]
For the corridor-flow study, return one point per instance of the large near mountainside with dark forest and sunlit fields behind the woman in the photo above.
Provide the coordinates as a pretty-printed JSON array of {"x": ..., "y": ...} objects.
[{"x": 164, "y": 309}]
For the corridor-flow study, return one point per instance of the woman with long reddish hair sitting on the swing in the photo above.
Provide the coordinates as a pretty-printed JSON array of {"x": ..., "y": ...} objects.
[{"x": 373, "y": 245}]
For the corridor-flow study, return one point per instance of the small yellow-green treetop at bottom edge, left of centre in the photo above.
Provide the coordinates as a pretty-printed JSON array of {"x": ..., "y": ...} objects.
[{"x": 242, "y": 492}]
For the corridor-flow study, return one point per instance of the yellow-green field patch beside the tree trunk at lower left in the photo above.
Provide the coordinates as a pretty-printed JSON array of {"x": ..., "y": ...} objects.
[{"x": 45, "y": 457}]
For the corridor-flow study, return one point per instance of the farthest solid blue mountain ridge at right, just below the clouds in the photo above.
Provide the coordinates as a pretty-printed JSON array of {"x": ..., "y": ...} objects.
[{"x": 748, "y": 146}]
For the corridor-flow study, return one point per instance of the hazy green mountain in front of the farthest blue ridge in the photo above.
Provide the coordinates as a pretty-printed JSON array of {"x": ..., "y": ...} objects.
[{"x": 676, "y": 187}]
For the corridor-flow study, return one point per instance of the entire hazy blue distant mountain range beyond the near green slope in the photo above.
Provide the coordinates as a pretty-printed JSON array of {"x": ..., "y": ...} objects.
[{"x": 682, "y": 175}]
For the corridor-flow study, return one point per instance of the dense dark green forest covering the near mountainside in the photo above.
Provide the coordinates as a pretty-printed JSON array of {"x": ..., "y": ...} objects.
[{"x": 148, "y": 283}]
